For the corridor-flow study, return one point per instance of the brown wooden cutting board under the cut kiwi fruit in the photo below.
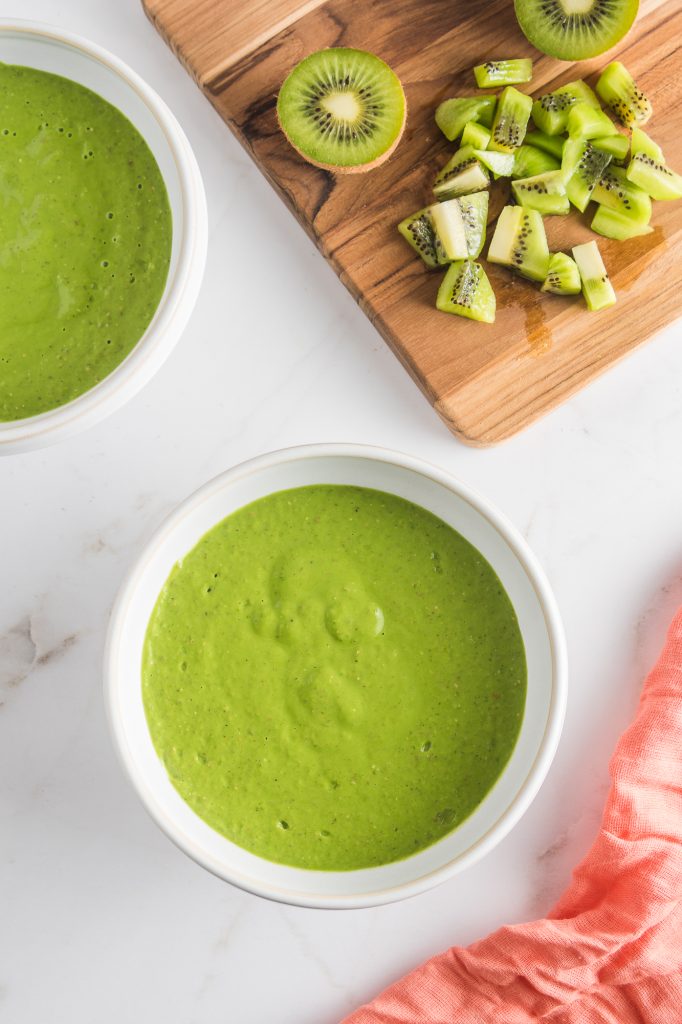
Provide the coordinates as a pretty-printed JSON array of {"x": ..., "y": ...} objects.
[{"x": 486, "y": 381}]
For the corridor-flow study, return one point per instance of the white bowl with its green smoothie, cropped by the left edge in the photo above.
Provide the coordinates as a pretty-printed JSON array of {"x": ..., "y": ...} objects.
[{"x": 103, "y": 238}]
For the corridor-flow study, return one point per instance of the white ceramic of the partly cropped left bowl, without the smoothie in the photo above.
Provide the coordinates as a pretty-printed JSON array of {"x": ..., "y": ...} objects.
[{"x": 64, "y": 54}]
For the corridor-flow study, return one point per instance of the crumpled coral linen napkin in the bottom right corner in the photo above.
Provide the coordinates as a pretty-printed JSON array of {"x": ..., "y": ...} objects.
[{"x": 611, "y": 952}]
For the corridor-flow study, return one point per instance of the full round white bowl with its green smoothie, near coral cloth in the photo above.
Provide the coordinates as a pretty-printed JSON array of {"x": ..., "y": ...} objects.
[{"x": 336, "y": 677}]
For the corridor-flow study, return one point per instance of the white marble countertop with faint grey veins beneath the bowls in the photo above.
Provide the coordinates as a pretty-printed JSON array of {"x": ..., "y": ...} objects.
[{"x": 102, "y": 919}]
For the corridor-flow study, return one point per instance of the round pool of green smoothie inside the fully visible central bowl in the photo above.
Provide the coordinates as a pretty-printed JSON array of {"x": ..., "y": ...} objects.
[{"x": 333, "y": 678}]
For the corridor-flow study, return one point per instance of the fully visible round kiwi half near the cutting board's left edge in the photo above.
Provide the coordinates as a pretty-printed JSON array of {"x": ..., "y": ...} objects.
[{"x": 343, "y": 110}]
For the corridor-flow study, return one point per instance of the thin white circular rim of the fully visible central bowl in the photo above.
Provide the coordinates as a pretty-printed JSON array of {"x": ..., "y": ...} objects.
[{"x": 536, "y": 773}]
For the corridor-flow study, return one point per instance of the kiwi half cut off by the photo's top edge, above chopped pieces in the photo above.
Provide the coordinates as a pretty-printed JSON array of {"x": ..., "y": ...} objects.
[{"x": 575, "y": 30}]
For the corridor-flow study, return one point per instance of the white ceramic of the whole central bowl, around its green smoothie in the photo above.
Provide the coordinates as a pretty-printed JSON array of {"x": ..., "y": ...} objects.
[{"x": 480, "y": 524}]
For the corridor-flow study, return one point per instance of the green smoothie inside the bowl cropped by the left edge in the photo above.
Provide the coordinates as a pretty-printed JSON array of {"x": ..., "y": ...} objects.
[{"x": 86, "y": 240}]
